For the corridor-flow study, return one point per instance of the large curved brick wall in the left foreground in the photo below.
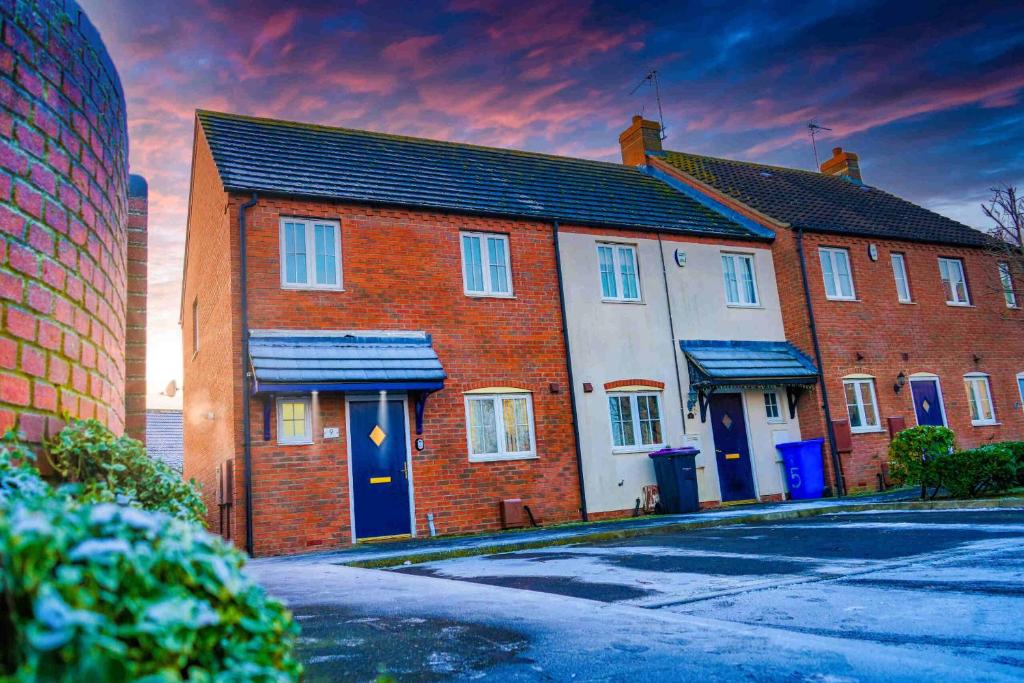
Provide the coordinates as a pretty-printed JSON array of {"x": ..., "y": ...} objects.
[{"x": 64, "y": 174}]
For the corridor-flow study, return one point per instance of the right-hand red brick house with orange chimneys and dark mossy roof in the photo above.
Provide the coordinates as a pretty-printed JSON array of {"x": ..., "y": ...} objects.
[{"x": 905, "y": 311}]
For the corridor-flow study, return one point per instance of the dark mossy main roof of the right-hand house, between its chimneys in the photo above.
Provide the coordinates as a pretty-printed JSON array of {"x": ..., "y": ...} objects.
[{"x": 821, "y": 203}]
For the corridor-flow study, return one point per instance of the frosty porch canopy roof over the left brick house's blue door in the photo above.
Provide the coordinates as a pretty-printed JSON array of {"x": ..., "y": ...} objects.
[{"x": 288, "y": 360}]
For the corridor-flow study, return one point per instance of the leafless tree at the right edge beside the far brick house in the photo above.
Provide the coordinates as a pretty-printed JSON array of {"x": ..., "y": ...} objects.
[{"x": 1006, "y": 209}]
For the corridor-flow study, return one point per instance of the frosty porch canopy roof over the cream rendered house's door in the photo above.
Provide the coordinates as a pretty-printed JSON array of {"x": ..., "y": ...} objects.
[{"x": 747, "y": 363}]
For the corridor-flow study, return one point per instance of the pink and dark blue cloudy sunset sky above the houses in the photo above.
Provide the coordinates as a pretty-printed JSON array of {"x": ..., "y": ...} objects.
[{"x": 929, "y": 95}]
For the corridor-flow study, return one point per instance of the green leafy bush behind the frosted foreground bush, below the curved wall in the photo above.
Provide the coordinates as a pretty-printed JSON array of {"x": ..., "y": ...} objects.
[{"x": 109, "y": 466}]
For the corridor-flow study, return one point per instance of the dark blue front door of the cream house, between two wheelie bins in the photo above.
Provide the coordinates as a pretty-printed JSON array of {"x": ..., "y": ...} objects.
[{"x": 730, "y": 430}]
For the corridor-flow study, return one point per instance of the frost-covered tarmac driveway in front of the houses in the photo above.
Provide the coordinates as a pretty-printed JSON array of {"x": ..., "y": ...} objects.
[{"x": 851, "y": 596}]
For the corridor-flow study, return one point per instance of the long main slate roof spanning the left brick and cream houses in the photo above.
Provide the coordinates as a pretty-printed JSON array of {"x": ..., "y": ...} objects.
[{"x": 320, "y": 162}]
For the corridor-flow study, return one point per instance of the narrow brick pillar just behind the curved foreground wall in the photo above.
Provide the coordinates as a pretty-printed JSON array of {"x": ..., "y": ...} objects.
[{"x": 139, "y": 219}]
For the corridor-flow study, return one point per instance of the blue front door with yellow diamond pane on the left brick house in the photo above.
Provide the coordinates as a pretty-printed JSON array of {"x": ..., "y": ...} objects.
[{"x": 380, "y": 477}]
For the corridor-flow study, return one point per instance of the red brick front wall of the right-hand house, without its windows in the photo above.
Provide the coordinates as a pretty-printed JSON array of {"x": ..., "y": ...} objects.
[{"x": 927, "y": 336}]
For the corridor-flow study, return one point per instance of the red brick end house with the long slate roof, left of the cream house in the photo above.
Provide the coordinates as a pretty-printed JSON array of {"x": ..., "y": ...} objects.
[{"x": 374, "y": 324}]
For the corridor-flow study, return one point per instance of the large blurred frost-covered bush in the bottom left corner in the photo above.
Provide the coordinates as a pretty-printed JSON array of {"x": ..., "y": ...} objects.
[{"x": 103, "y": 592}]
